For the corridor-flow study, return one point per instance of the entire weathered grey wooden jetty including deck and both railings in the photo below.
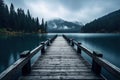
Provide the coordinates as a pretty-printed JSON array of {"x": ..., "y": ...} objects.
[{"x": 60, "y": 62}]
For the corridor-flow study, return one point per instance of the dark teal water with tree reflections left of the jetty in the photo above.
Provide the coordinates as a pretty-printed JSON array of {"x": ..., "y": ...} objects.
[{"x": 11, "y": 47}]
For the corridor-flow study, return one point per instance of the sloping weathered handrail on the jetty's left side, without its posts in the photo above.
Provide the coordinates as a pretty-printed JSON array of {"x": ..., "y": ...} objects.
[{"x": 9, "y": 73}]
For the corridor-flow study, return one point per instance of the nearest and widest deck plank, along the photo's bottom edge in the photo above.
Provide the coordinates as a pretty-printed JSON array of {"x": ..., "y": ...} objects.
[{"x": 62, "y": 78}]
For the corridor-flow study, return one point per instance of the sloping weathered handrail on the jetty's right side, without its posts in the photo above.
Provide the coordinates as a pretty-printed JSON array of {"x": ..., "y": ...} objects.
[{"x": 102, "y": 62}]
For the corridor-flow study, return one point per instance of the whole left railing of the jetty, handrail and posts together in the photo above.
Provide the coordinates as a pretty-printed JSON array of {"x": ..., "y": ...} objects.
[{"x": 24, "y": 63}]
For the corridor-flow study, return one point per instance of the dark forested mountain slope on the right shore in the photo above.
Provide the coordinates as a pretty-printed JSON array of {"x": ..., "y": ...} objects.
[{"x": 107, "y": 24}]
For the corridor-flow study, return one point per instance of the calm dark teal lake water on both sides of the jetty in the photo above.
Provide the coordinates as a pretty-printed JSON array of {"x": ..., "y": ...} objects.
[{"x": 107, "y": 44}]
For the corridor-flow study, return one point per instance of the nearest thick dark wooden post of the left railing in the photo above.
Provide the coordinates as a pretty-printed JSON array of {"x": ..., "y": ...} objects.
[{"x": 27, "y": 67}]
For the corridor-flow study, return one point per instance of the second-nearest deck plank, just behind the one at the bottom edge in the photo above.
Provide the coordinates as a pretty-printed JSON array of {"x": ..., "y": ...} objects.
[{"x": 67, "y": 73}]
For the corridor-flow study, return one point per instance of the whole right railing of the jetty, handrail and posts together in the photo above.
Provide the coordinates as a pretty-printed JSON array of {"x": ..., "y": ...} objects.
[{"x": 97, "y": 61}]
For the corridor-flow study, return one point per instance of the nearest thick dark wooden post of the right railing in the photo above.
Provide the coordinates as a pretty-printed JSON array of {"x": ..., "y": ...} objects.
[{"x": 95, "y": 66}]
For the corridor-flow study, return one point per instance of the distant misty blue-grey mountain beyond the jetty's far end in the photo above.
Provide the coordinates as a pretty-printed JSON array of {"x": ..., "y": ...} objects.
[{"x": 62, "y": 26}]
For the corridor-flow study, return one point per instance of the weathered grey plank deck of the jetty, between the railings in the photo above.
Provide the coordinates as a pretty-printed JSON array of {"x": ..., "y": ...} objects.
[{"x": 61, "y": 62}]
